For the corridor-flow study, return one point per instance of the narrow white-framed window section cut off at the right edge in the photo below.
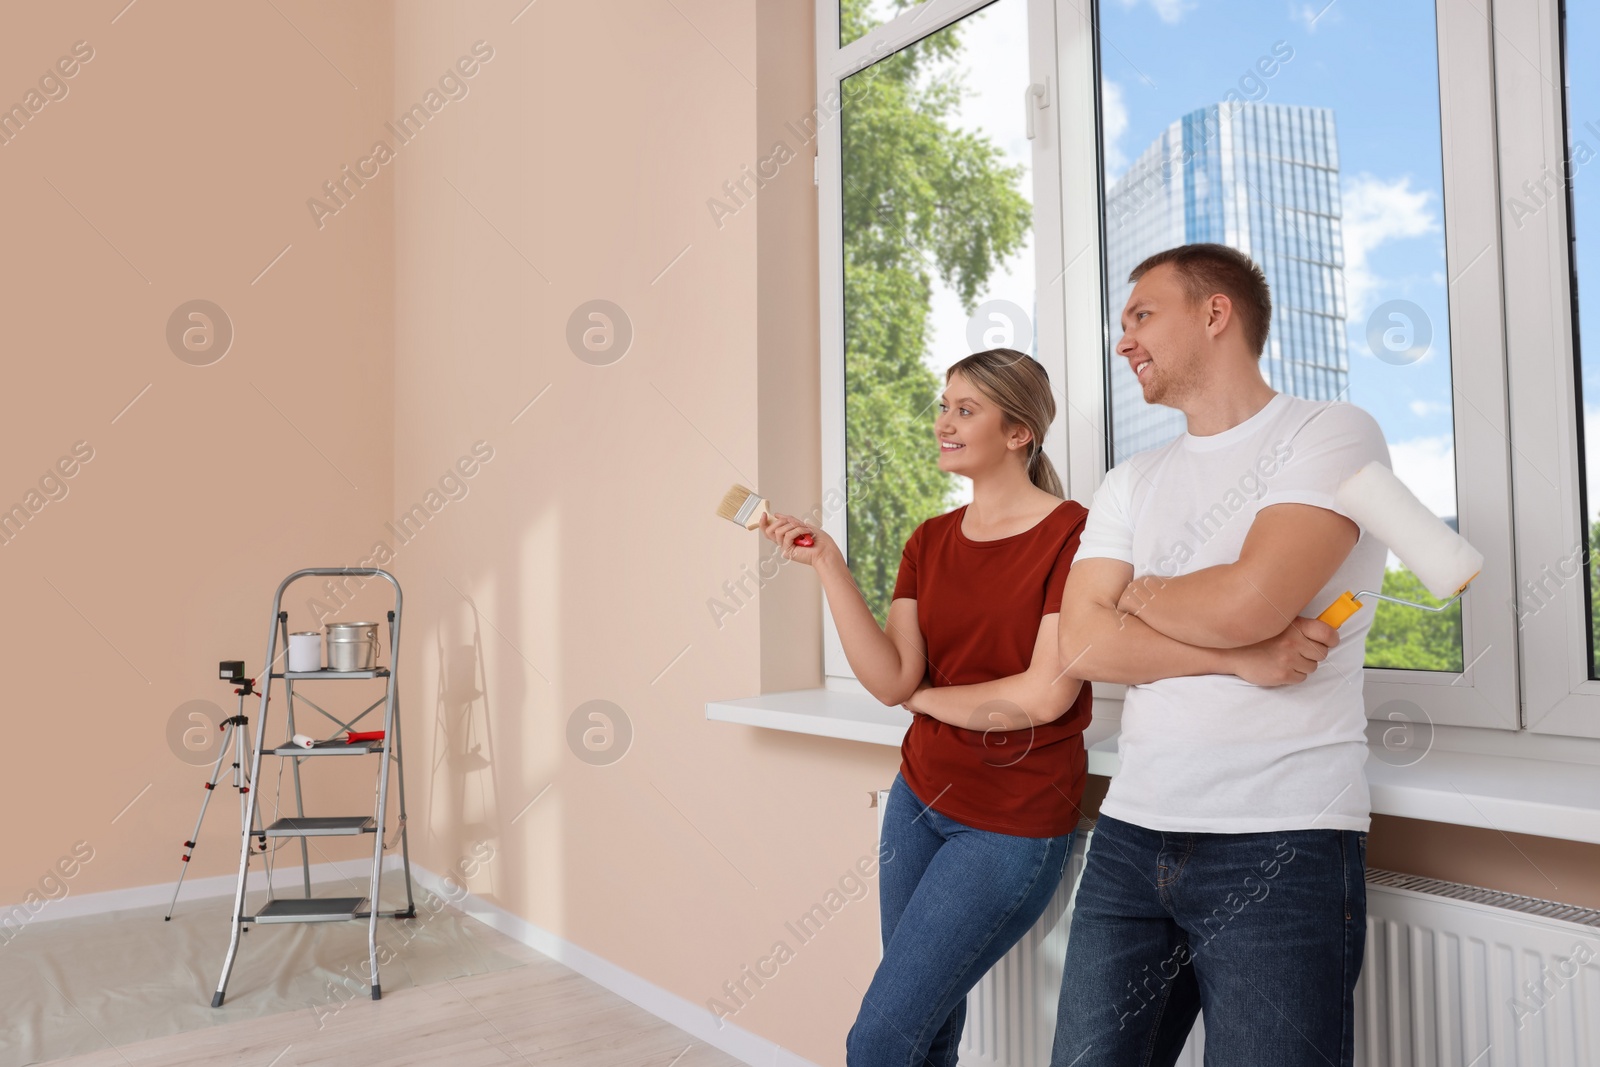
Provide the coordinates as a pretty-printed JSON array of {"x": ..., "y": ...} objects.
[{"x": 1551, "y": 223}]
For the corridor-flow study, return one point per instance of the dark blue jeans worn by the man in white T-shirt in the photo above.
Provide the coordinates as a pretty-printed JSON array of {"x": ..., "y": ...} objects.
[{"x": 1260, "y": 932}]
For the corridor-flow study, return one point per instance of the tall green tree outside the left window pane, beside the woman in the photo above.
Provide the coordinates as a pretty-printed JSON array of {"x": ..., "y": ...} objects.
[{"x": 922, "y": 201}]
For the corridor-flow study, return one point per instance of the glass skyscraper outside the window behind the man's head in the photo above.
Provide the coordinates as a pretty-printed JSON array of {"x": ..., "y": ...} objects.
[{"x": 1265, "y": 180}]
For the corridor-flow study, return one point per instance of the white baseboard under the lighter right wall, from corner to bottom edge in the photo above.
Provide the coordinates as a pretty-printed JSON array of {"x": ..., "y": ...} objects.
[{"x": 668, "y": 1007}]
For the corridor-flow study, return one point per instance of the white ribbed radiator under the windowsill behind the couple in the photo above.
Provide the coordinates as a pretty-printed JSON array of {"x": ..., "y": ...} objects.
[{"x": 1454, "y": 977}]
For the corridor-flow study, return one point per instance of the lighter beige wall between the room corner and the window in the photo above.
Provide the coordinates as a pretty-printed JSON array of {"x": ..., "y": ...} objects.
[{"x": 583, "y": 562}]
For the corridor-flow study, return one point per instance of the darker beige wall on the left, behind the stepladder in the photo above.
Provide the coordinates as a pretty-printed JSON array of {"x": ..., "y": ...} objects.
[{"x": 178, "y": 167}]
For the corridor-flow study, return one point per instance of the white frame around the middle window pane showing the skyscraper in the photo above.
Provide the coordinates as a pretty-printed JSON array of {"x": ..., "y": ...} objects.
[{"x": 1486, "y": 693}]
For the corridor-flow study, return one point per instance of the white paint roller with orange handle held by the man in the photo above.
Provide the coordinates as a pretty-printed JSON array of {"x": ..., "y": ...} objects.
[{"x": 1441, "y": 559}]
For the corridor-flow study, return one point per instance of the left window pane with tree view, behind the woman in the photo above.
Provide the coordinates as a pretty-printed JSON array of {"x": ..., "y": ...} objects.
[{"x": 938, "y": 249}]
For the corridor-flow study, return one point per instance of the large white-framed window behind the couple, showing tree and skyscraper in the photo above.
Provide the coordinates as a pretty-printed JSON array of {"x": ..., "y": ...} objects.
[{"x": 1372, "y": 202}]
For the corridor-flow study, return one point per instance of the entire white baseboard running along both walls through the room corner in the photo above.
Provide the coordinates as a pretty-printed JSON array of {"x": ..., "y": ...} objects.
[{"x": 668, "y": 1007}]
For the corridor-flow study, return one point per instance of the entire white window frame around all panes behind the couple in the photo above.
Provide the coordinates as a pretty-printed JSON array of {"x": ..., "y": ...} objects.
[{"x": 1495, "y": 289}]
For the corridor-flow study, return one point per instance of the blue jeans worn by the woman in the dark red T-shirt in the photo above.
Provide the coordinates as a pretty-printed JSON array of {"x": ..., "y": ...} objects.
[{"x": 953, "y": 901}]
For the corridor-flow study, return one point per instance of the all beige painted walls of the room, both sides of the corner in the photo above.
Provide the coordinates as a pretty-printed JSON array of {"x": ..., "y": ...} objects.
[{"x": 582, "y": 557}]
